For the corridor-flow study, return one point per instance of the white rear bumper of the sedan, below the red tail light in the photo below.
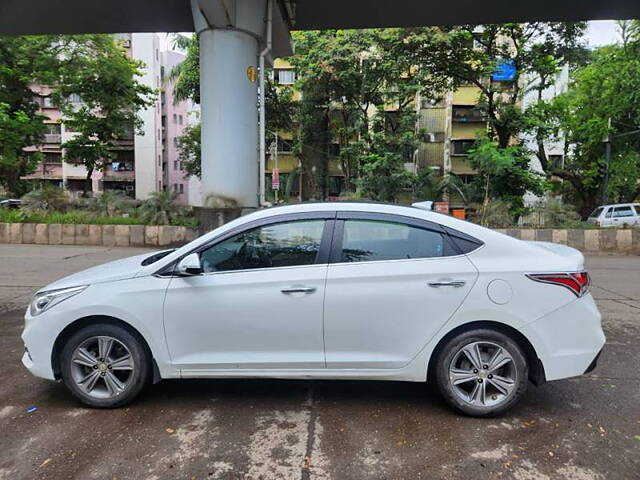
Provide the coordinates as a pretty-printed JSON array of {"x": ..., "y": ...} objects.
[{"x": 568, "y": 340}]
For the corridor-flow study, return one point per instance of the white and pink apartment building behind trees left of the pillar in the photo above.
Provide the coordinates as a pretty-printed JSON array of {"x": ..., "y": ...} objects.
[{"x": 144, "y": 161}]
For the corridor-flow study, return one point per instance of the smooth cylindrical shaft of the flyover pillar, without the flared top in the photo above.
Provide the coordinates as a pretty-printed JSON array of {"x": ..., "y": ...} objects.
[{"x": 229, "y": 118}]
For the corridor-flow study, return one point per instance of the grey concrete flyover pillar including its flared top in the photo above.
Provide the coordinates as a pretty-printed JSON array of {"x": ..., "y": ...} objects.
[{"x": 232, "y": 35}]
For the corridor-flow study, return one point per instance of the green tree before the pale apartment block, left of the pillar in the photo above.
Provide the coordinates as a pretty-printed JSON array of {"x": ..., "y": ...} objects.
[{"x": 100, "y": 97}]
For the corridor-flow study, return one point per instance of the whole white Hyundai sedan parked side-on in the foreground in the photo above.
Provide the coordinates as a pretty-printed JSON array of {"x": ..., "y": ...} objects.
[{"x": 325, "y": 291}]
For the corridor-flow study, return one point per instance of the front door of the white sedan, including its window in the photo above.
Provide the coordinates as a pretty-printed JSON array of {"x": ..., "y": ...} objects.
[{"x": 257, "y": 305}]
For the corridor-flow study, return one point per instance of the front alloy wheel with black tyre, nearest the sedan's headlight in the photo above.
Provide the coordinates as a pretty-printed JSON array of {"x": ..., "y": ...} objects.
[{"x": 104, "y": 365}]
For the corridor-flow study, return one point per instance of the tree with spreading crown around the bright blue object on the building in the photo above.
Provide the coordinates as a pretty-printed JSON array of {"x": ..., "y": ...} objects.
[{"x": 471, "y": 55}]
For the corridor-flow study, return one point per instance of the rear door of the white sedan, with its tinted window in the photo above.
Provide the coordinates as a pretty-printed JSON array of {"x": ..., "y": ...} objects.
[{"x": 392, "y": 283}]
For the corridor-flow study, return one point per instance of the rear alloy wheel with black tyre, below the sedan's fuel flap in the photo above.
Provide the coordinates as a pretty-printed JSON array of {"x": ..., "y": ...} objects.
[{"x": 481, "y": 372}]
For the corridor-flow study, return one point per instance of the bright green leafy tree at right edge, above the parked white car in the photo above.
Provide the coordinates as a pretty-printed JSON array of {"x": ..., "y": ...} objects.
[{"x": 603, "y": 102}]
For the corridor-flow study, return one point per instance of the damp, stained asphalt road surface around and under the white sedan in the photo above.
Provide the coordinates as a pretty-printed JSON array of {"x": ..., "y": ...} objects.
[{"x": 577, "y": 429}]
